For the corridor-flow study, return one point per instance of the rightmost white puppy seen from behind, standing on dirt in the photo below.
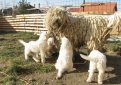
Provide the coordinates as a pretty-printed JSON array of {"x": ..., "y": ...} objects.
[{"x": 97, "y": 61}]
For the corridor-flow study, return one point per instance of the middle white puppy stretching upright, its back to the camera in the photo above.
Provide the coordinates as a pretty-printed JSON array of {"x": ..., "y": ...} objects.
[{"x": 64, "y": 61}]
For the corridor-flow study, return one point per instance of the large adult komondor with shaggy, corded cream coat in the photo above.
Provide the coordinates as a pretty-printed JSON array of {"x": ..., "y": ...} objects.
[{"x": 92, "y": 30}]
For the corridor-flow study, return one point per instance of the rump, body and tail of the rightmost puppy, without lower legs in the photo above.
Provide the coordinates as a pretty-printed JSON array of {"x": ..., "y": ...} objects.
[{"x": 97, "y": 59}]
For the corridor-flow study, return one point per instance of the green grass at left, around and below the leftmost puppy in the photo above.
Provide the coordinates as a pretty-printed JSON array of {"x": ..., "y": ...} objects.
[{"x": 12, "y": 62}]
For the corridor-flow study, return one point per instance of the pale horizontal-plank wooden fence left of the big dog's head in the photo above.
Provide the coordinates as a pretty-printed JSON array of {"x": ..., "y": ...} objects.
[{"x": 26, "y": 23}]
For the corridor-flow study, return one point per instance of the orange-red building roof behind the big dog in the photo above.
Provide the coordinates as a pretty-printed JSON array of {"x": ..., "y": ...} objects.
[{"x": 95, "y": 7}]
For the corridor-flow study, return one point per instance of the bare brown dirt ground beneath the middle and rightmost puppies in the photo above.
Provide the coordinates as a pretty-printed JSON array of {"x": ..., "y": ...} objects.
[{"x": 79, "y": 76}]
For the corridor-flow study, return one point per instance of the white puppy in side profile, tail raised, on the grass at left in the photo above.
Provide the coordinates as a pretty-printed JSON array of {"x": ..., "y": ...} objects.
[{"x": 38, "y": 47}]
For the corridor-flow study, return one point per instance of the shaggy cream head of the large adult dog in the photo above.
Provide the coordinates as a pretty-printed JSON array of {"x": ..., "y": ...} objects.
[{"x": 56, "y": 17}]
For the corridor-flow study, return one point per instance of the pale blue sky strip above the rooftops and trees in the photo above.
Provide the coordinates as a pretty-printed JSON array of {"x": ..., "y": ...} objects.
[{"x": 10, "y": 3}]
